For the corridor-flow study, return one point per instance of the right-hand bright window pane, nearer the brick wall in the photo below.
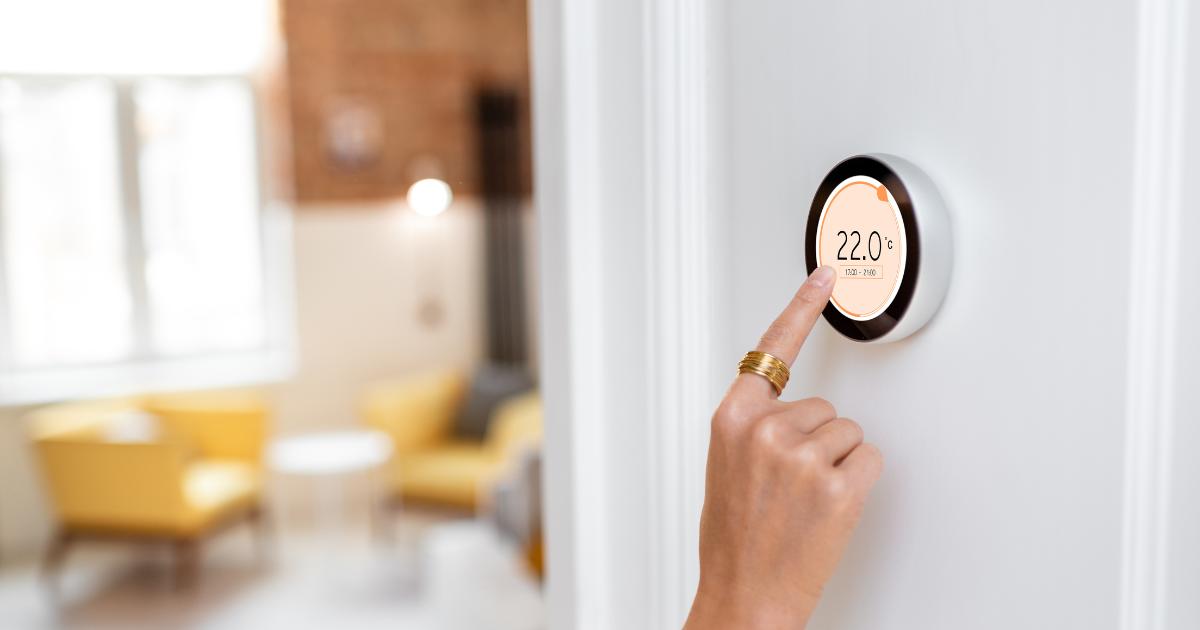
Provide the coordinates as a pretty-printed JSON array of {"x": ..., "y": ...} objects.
[{"x": 200, "y": 217}]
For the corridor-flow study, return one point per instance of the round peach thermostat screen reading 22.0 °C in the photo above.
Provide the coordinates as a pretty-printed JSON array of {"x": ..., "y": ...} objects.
[{"x": 861, "y": 235}]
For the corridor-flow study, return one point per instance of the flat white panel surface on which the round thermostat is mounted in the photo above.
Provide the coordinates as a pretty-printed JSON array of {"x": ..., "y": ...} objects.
[{"x": 1003, "y": 423}]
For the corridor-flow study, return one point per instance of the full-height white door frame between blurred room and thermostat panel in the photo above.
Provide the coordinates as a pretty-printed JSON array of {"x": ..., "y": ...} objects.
[{"x": 625, "y": 142}]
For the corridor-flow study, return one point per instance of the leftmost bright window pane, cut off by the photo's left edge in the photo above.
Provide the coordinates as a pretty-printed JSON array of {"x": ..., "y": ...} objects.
[{"x": 61, "y": 207}]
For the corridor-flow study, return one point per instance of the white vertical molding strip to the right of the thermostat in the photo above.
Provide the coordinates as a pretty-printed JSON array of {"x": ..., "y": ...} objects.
[{"x": 1154, "y": 299}]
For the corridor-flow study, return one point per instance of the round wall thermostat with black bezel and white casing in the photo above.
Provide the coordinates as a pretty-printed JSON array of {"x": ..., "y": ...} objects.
[{"x": 881, "y": 225}]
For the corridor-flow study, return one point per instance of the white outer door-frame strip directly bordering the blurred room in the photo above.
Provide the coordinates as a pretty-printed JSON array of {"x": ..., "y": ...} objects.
[{"x": 566, "y": 59}]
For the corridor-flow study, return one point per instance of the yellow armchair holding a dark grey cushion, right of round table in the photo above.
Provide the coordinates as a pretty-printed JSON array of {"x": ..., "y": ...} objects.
[{"x": 431, "y": 465}]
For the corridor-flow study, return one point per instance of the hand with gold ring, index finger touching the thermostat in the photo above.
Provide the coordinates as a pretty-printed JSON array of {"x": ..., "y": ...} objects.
[{"x": 785, "y": 489}]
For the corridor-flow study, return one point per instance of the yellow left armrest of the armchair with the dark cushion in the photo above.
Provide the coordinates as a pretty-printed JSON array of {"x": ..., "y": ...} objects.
[{"x": 418, "y": 412}]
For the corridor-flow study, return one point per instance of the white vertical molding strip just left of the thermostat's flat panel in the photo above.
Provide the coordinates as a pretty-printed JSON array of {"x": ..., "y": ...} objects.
[{"x": 681, "y": 279}]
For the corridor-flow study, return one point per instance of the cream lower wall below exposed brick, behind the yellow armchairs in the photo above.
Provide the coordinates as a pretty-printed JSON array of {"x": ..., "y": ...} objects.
[{"x": 361, "y": 273}]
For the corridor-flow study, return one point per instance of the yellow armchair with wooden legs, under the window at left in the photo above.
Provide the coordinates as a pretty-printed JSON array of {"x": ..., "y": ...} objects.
[{"x": 189, "y": 465}]
